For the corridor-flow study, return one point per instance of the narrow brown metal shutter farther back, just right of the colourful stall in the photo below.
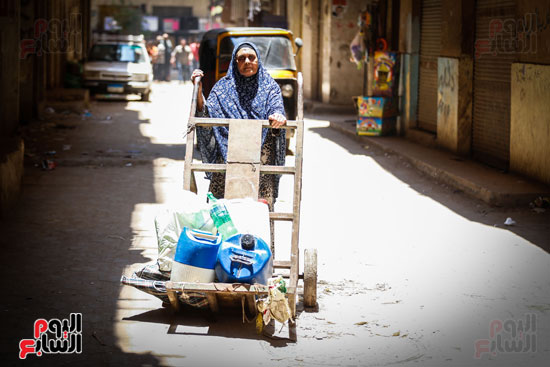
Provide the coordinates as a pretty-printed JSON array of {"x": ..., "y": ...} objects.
[{"x": 430, "y": 48}]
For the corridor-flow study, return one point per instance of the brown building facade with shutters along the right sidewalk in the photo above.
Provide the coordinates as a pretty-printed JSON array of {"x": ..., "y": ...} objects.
[{"x": 474, "y": 73}]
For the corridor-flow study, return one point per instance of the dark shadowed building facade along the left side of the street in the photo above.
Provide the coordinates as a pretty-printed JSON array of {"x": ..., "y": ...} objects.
[{"x": 41, "y": 41}]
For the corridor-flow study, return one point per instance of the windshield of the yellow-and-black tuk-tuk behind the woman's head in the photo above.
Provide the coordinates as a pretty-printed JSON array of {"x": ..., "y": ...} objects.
[{"x": 276, "y": 51}]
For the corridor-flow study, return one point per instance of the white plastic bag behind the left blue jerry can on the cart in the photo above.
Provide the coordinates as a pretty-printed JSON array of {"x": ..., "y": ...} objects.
[{"x": 193, "y": 213}]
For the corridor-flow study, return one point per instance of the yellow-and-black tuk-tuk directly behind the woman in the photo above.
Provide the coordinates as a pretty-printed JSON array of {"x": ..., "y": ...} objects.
[{"x": 276, "y": 51}]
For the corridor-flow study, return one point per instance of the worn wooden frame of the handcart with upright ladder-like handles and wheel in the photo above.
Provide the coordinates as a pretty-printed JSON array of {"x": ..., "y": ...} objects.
[{"x": 243, "y": 170}]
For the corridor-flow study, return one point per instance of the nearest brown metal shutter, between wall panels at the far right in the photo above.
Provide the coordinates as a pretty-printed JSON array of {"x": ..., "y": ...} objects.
[{"x": 491, "y": 114}]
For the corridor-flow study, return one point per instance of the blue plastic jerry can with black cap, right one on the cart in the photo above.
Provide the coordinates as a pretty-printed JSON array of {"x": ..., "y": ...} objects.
[{"x": 244, "y": 258}]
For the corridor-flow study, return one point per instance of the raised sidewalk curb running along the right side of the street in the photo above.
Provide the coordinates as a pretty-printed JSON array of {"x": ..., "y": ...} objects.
[{"x": 464, "y": 184}]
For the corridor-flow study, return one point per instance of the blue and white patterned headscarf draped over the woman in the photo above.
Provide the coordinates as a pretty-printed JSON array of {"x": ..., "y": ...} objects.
[{"x": 238, "y": 97}]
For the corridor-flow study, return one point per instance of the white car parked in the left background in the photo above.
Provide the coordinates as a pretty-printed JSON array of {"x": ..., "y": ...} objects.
[{"x": 119, "y": 64}]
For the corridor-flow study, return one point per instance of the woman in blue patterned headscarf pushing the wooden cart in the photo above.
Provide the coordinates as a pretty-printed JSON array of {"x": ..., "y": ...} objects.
[{"x": 246, "y": 92}]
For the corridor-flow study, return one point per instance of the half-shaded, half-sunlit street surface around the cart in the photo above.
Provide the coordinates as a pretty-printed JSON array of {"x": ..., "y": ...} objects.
[{"x": 410, "y": 272}]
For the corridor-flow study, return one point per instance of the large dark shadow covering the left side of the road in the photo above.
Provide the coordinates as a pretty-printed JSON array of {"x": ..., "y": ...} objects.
[{"x": 67, "y": 242}]
